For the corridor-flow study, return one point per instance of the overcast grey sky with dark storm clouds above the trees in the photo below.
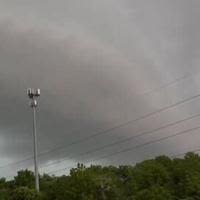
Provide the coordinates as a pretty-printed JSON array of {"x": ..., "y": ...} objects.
[{"x": 98, "y": 64}]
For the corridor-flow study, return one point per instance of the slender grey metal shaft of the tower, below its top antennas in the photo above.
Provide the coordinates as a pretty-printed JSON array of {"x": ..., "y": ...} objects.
[{"x": 35, "y": 149}]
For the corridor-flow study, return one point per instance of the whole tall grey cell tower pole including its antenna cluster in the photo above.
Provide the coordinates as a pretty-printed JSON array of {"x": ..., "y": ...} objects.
[{"x": 33, "y": 94}]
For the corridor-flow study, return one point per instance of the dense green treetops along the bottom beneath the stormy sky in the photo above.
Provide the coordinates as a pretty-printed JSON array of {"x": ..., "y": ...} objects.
[{"x": 161, "y": 178}]
